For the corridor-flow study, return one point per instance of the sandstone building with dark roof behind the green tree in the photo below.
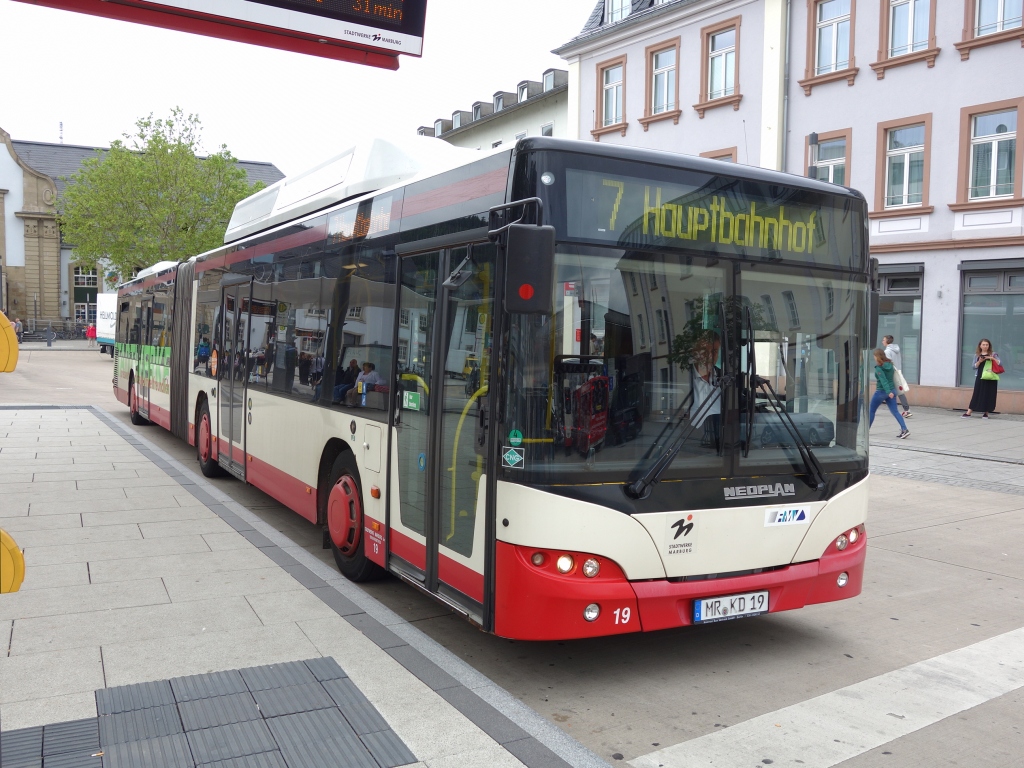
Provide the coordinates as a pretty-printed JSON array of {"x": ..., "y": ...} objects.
[{"x": 40, "y": 282}]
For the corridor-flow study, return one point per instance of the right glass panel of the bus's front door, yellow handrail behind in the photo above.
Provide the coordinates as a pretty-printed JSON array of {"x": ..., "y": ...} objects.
[{"x": 471, "y": 313}]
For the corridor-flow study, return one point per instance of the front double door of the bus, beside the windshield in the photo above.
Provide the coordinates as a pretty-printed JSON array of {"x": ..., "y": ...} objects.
[{"x": 442, "y": 433}]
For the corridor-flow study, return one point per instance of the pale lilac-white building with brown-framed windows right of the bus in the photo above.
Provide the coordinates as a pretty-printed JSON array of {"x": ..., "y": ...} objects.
[{"x": 902, "y": 100}]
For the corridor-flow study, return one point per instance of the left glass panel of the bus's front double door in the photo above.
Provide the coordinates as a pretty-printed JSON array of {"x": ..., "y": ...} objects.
[{"x": 418, "y": 298}]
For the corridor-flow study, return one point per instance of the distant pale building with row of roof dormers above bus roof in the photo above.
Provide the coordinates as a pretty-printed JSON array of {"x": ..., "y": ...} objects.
[{"x": 535, "y": 109}]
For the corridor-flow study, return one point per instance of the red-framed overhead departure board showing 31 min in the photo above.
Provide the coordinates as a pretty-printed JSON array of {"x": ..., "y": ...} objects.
[{"x": 370, "y": 32}]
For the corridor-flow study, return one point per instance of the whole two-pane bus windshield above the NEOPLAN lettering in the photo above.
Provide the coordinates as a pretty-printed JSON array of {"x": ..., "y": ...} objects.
[{"x": 638, "y": 343}]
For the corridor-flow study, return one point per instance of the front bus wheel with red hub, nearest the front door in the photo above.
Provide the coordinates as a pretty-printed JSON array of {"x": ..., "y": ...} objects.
[{"x": 345, "y": 523}]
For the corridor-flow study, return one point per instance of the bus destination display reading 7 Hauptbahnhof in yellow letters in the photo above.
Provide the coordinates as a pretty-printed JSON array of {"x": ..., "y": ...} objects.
[{"x": 714, "y": 215}]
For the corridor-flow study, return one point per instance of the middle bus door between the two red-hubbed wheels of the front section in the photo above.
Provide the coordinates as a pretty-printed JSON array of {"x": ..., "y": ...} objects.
[{"x": 233, "y": 373}]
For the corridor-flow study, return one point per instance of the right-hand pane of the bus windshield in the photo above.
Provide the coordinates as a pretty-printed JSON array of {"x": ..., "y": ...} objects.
[{"x": 812, "y": 365}]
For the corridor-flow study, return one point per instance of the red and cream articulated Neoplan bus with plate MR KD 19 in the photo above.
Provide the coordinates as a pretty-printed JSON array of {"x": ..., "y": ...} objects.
[{"x": 569, "y": 390}]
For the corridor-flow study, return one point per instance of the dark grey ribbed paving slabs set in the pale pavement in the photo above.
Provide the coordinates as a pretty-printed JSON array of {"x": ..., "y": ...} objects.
[{"x": 294, "y": 715}]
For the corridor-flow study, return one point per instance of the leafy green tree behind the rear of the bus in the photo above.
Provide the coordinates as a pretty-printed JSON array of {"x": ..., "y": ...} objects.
[{"x": 151, "y": 198}]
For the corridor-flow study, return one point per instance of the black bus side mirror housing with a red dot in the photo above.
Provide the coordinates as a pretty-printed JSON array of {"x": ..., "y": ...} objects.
[{"x": 530, "y": 260}]
